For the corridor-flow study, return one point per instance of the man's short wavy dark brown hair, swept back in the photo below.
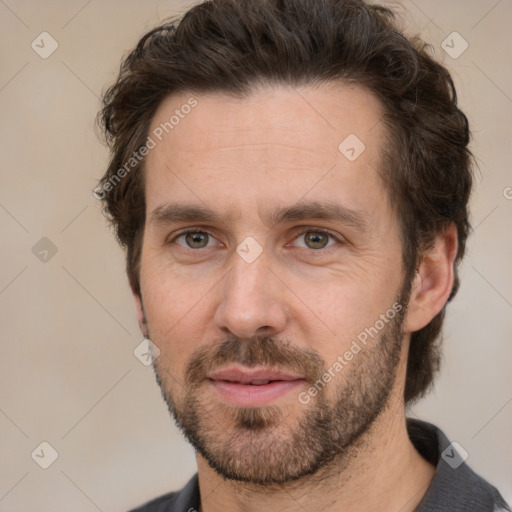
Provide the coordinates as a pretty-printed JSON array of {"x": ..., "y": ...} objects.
[{"x": 230, "y": 46}]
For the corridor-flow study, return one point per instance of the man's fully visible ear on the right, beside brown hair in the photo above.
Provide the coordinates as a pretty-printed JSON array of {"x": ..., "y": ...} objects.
[{"x": 433, "y": 281}]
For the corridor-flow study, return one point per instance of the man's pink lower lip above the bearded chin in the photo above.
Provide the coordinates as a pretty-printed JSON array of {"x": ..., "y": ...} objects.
[{"x": 248, "y": 395}]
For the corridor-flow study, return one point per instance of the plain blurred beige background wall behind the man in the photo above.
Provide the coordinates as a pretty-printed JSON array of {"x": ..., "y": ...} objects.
[{"x": 68, "y": 373}]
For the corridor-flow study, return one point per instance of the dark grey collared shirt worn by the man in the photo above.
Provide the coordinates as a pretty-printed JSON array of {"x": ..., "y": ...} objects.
[{"x": 454, "y": 488}]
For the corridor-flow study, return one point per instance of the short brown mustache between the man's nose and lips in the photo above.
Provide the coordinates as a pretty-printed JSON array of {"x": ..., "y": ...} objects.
[{"x": 256, "y": 351}]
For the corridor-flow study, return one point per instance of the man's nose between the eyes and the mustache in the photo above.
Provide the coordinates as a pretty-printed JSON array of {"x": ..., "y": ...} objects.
[{"x": 252, "y": 300}]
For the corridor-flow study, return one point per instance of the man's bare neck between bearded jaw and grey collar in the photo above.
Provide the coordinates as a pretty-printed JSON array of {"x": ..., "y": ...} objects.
[{"x": 382, "y": 472}]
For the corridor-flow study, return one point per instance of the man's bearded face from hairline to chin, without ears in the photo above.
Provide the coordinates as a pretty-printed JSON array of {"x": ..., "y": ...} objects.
[{"x": 270, "y": 253}]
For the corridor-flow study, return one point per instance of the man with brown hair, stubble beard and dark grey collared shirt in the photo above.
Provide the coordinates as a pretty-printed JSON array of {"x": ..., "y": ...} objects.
[{"x": 290, "y": 179}]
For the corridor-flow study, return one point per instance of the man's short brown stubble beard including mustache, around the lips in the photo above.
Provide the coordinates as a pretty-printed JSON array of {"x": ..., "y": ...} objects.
[{"x": 275, "y": 445}]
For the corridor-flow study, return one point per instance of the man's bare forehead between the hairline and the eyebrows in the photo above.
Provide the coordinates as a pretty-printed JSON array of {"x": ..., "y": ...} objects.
[{"x": 279, "y": 143}]
